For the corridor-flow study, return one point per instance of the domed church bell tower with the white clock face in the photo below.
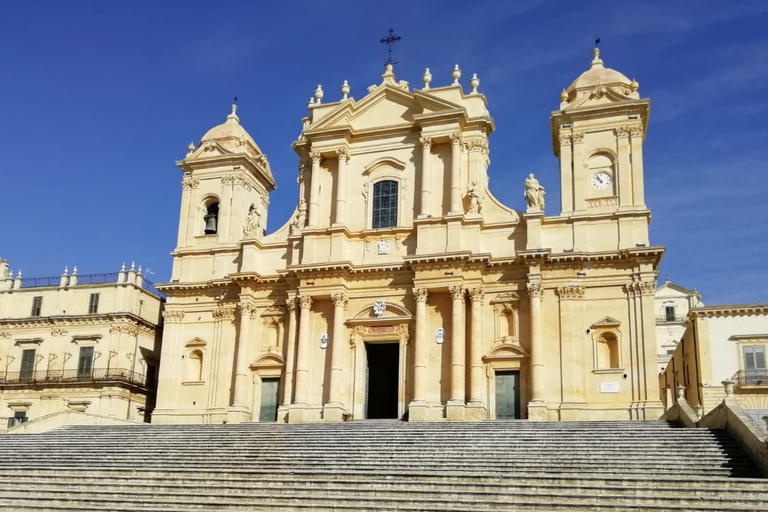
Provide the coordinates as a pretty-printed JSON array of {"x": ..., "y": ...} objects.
[{"x": 598, "y": 136}]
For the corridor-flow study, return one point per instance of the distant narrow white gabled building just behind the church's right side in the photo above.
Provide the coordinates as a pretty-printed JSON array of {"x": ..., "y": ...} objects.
[{"x": 672, "y": 305}]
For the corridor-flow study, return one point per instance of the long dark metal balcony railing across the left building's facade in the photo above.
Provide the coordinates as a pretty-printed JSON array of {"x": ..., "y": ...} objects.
[{"x": 42, "y": 377}]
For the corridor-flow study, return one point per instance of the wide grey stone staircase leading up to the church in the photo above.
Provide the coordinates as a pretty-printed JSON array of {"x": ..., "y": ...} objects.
[{"x": 379, "y": 466}]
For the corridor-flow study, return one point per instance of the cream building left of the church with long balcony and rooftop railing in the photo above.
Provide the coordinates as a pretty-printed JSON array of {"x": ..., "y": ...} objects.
[{"x": 88, "y": 342}]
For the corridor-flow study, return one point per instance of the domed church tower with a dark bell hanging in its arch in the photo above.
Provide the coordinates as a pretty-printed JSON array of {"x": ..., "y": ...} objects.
[{"x": 225, "y": 194}]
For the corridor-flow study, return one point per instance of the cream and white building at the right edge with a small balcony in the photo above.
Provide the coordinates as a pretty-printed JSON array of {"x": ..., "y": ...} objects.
[{"x": 722, "y": 343}]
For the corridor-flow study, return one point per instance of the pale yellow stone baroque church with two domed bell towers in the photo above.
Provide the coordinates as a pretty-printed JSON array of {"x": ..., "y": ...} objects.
[{"x": 401, "y": 287}]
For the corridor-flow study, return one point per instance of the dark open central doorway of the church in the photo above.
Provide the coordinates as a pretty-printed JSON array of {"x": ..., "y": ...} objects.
[{"x": 382, "y": 379}]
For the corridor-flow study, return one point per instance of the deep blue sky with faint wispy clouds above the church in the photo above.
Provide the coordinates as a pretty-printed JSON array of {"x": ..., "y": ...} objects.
[{"x": 99, "y": 99}]
